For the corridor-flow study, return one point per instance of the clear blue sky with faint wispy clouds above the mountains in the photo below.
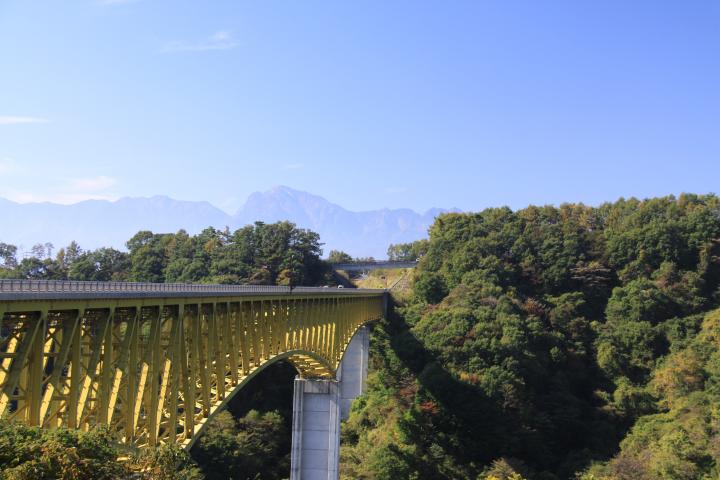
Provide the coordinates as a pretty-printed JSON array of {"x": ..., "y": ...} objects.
[{"x": 369, "y": 103}]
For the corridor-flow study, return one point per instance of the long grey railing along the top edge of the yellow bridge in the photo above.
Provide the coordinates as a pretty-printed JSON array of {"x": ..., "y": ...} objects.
[{"x": 19, "y": 288}]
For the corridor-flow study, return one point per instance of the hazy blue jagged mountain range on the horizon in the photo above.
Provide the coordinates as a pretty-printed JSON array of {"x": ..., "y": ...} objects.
[{"x": 98, "y": 223}]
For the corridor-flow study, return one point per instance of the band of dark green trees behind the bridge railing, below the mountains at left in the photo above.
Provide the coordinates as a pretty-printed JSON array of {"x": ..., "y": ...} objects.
[{"x": 267, "y": 254}]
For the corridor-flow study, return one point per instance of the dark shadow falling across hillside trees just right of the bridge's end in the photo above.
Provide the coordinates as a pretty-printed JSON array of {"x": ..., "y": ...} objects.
[{"x": 455, "y": 415}]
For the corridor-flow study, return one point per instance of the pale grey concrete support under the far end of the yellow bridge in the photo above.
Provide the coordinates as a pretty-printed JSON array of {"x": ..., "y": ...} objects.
[{"x": 319, "y": 406}]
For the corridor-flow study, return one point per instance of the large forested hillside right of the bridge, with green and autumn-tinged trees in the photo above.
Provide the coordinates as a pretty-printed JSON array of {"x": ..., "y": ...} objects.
[{"x": 550, "y": 343}]
